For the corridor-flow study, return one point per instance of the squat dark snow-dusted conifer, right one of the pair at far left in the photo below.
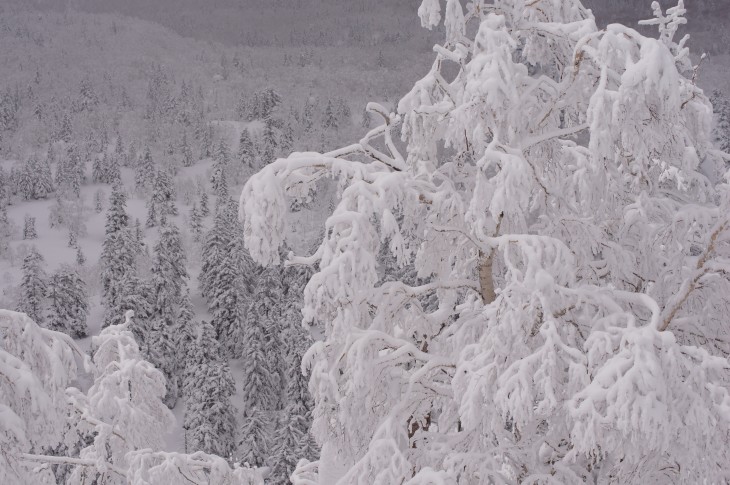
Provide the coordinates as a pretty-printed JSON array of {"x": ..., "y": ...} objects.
[{"x": 68, "y": 303}]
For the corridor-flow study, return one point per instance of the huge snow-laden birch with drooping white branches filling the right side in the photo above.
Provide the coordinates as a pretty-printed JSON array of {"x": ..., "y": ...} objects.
[{"x": 559, "y": 196}]
